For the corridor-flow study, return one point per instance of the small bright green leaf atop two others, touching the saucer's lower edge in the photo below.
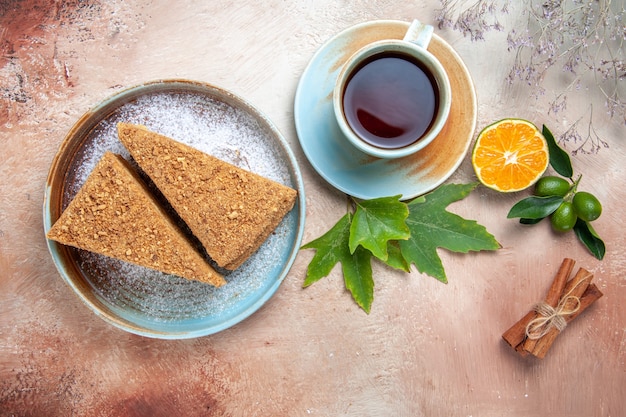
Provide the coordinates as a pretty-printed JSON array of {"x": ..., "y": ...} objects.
[{"x": 376, "y": 222}]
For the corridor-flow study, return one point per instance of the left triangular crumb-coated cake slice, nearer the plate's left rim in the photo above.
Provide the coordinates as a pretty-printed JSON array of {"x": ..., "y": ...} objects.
[{"x": 114, "y": 214}]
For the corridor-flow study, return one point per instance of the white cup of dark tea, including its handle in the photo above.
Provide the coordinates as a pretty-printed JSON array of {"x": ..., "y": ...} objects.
[{"x": 392, "y": 97}]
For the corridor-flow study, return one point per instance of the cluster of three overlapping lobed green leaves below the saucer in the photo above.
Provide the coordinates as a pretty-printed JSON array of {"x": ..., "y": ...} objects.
[{"x": 388, "y": 222}]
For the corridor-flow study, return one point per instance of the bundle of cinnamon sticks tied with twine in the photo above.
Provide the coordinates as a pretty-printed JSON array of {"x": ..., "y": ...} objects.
[{"x": 566, "y": 298}]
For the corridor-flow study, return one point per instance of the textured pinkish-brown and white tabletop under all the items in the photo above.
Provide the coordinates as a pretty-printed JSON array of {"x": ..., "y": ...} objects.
[{"x": 426, "y": 349}]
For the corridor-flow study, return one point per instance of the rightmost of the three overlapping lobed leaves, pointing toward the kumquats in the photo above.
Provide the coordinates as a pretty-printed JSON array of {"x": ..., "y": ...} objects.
[{"x": 433, "y": 227}]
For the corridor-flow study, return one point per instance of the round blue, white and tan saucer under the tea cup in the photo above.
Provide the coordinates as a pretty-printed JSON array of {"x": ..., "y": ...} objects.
[{"x": 354, "y": 172}]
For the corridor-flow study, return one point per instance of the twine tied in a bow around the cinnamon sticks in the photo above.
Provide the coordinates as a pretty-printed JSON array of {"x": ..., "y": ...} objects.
[{"x": 549, "y": 317}]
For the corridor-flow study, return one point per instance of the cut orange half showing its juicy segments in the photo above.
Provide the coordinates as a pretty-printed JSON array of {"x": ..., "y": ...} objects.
[{"x": 510, "y": 155}]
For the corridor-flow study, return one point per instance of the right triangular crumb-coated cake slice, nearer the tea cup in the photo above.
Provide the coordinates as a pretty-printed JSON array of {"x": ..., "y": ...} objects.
[{"x": 231, "y": 211}]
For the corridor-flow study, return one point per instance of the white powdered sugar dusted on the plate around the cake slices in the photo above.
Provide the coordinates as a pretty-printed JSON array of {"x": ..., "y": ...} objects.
[{"x": 220, "y": 125}]
